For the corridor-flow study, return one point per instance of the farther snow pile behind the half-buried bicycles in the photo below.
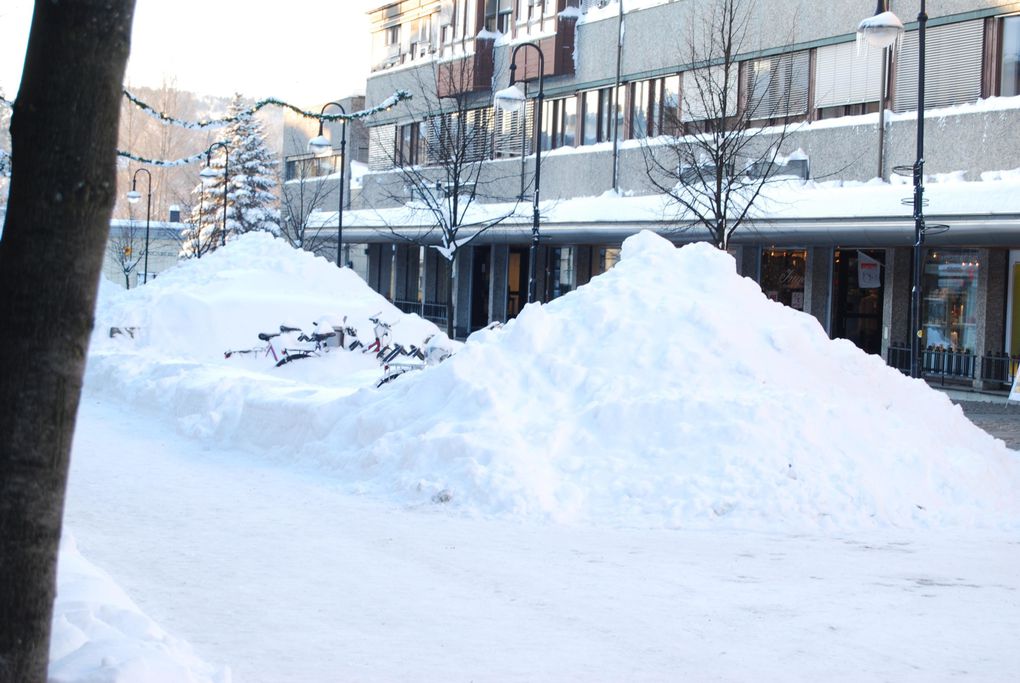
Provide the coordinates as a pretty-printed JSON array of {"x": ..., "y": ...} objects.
[{"x": 205, "y": 307}]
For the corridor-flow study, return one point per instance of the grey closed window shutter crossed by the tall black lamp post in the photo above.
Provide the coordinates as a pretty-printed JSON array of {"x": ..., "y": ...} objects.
[{"x": 953, "y": 67}]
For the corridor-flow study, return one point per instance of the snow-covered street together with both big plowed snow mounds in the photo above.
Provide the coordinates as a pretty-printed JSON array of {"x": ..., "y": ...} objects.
[{"x": 661, "y": 476}]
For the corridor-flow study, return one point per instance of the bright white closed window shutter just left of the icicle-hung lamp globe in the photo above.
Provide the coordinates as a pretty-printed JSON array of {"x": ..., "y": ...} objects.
[{"x": 846, "y": 76}]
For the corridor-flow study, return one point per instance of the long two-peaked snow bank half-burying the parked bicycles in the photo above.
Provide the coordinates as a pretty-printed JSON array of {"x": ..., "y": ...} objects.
[{"x": 667, "y": 392}]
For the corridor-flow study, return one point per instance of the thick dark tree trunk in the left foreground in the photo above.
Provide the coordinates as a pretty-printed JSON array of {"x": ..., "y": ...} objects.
[{"x": 64, "y": 135}]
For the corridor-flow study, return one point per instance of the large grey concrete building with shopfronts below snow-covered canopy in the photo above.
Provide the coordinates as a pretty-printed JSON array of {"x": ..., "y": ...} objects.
[{"x": 616, "y": 83}]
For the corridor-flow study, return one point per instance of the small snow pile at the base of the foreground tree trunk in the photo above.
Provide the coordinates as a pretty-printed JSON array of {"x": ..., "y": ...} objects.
[{"x": 99, "y": 635}]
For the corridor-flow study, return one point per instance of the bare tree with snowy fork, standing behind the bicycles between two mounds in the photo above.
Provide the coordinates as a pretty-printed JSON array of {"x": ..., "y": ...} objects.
[{"x": 442, "y": 162}]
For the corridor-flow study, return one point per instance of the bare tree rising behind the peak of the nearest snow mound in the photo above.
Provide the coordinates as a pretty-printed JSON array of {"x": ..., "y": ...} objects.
[{"x": 724, "y": 147}]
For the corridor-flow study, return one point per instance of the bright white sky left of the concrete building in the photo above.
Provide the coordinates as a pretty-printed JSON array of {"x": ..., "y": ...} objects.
[{"x": 304, "y": 51}]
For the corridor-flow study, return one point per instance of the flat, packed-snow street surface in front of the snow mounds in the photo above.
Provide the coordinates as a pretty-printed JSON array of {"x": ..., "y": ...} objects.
[{"x": 276, "y": 573}]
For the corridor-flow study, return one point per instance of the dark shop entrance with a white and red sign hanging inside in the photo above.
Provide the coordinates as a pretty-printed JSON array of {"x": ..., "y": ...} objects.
[{"x": 858, "y": 281}]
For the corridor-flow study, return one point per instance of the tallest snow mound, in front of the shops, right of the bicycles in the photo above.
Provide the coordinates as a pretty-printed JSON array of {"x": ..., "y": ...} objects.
[{"x": 672, "y": 391}]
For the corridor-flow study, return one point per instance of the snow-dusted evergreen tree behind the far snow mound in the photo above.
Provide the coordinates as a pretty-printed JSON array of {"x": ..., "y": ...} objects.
[{"x": 251, "y": 204}]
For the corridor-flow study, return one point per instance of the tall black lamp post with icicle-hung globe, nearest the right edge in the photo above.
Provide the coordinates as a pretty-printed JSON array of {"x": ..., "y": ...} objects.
[{"x": 883, "y": 31}]
